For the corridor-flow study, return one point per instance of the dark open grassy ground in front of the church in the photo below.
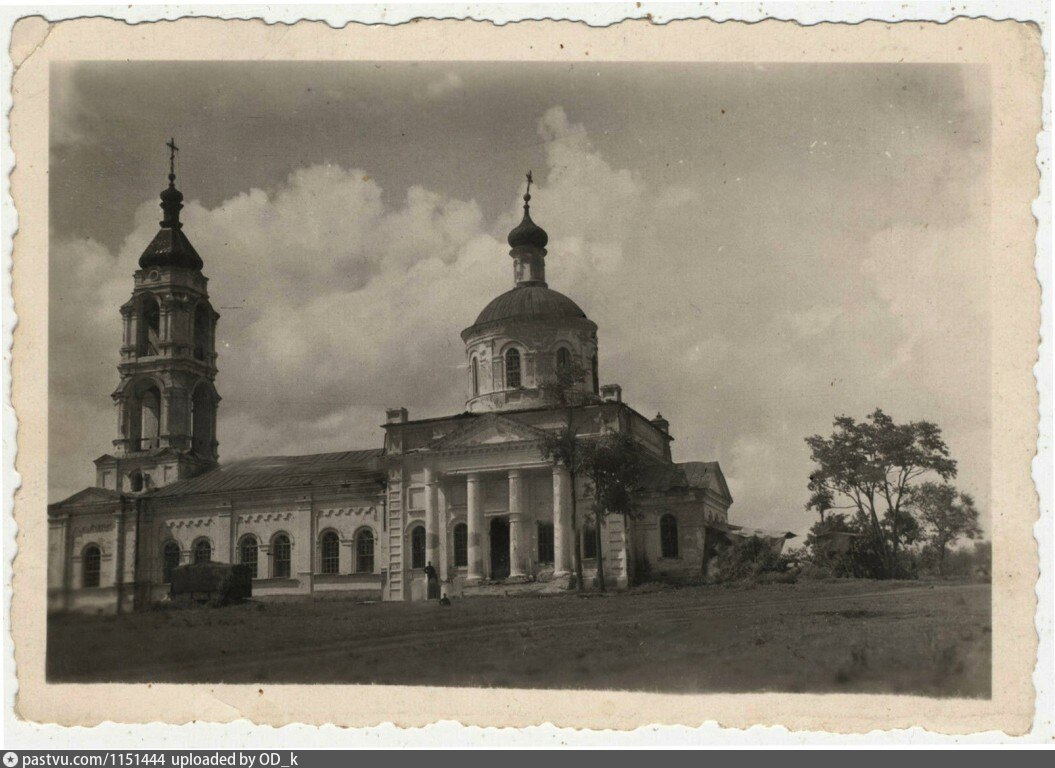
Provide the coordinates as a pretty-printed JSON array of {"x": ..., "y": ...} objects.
[{"x": 899, "y": 638}]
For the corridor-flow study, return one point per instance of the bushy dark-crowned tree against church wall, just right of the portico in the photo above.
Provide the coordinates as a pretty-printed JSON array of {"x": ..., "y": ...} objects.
[{"x": 615, "y": 466}]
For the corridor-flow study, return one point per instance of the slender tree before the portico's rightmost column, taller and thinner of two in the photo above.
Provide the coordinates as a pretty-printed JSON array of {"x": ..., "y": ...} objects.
[{"x": 566, "y": 390}]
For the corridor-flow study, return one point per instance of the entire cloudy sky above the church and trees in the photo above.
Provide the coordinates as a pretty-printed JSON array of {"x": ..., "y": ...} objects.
[{"x": 763, "y": 247}]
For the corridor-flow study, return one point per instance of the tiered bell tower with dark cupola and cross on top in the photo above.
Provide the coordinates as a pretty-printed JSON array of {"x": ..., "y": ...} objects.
[{"x": 167, "y": 399}]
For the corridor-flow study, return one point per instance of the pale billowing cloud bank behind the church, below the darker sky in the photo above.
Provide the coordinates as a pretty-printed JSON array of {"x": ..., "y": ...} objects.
[{"x": 749, "y": 325}]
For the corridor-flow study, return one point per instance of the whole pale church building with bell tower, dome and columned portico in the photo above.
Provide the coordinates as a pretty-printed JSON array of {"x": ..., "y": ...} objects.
[{"x": 470, "y": 495}]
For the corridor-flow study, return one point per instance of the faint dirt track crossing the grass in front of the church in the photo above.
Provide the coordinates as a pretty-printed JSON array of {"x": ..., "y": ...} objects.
[{"x": 226, "y": 668}]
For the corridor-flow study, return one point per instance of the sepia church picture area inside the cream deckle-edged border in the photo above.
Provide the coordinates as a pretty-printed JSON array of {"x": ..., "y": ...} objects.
[{"x": 656, "y": 377}]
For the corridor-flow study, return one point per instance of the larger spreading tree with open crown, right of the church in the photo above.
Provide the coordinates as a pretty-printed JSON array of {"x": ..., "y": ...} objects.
[{"x": 871, "y": 469}]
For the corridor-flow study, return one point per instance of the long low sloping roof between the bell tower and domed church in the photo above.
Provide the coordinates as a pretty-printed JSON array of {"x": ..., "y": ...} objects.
[{"x": 283, "y": 472}]
